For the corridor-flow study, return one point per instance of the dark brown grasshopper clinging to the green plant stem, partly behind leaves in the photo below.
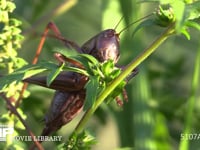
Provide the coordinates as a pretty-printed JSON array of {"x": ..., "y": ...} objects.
[{"x": 70, "y": 92}]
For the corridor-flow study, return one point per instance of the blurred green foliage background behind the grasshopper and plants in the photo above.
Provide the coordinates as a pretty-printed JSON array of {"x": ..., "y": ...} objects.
[{"x": 155, "y": 115}]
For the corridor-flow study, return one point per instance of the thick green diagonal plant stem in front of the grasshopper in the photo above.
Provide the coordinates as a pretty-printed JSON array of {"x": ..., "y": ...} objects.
[{"x": 148, "y": 51}]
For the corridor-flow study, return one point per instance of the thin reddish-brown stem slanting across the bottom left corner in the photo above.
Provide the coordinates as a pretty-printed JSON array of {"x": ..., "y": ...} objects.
[{"x": 13, "y": 110}]
